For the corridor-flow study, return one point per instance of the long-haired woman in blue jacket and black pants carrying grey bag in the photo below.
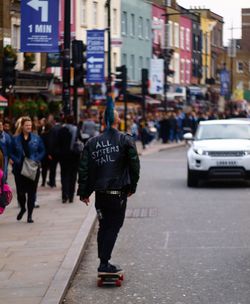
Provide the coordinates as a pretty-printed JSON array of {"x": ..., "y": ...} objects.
[{"x": 29, "y": 145}]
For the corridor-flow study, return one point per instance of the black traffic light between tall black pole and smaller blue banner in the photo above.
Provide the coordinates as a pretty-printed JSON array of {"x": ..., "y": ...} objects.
[{"x": 78, "y": 59}]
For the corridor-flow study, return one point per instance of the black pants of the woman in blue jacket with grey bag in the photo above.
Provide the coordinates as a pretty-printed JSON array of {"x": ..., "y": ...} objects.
[{"x": 26, "y": 192}]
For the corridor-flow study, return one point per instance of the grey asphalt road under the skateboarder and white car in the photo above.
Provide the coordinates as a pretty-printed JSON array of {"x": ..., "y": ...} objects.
[{"x": 178, "y": 245}]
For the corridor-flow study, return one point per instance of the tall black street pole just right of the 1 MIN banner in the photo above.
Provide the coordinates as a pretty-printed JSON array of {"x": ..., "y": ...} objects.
[{"x": 66, "y": 59}]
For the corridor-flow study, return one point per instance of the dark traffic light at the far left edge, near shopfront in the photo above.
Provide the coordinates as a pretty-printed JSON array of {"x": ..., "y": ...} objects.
[{"x": 9, "y": 72}]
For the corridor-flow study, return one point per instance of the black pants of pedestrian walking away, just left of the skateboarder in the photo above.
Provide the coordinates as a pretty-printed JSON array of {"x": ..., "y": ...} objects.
[{"x": 69, "y": 169}]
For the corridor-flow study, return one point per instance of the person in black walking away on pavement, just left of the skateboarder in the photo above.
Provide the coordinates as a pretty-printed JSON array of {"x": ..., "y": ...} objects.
[{"x": 69, "y": 160}]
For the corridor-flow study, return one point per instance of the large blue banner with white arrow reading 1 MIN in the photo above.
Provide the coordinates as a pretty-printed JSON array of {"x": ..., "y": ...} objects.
[{"x": 39, "y": 26}]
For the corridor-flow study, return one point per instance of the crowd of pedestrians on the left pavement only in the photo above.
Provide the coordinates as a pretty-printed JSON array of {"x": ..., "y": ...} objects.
[{"x": 47, "y": 142}]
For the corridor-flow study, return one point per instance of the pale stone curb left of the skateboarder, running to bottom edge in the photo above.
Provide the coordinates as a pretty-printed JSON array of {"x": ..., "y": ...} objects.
[{"x": 60, "y": 283}]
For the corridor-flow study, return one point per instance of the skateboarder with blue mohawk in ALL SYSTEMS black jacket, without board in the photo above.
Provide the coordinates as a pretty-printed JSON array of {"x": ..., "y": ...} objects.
[{"x": 109, "y": 166}]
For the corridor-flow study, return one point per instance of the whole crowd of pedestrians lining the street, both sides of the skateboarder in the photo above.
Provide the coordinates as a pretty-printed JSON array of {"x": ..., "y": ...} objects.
[{"x": 54, "y": 142}]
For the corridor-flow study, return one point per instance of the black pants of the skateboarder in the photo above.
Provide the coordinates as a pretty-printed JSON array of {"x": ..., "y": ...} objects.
[{"x": 112, "y": 208}]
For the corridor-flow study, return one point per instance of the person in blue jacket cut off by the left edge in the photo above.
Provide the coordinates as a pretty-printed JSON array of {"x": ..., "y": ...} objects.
[{"x": 5, "y": 145}]
